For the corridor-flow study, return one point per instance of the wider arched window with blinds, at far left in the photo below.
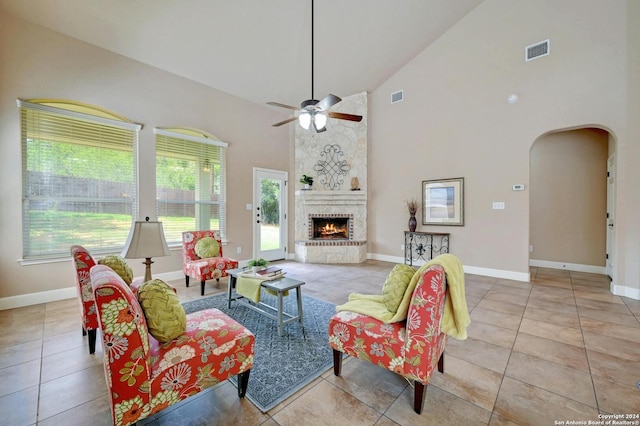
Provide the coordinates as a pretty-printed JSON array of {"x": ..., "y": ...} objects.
[{"x": 78, "y": 178}]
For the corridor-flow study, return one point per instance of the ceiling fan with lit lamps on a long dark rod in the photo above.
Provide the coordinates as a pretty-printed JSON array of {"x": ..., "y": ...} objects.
[{"x": 313, "y": 112}]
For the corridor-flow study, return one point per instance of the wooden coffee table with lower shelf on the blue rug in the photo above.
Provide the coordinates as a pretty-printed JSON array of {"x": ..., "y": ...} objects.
[{"x": 280, "y": 287}]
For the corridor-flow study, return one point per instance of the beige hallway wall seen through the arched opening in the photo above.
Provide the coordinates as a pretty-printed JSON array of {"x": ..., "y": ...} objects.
[{"x": 568, "y": 196}]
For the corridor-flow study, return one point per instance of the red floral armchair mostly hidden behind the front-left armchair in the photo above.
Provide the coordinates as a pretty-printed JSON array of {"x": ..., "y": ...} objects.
[{"x": 83, "y": 261}]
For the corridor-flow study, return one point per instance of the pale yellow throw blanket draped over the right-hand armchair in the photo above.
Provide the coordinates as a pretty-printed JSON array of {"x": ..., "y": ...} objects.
[{"x": 456, "y": 314}]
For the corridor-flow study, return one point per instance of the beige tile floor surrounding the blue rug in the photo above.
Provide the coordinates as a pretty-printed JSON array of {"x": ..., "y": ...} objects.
[{"x": 557, "y": 349}]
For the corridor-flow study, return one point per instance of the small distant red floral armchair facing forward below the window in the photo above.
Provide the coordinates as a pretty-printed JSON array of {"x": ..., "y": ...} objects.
[{"x": 203, "y": 269}]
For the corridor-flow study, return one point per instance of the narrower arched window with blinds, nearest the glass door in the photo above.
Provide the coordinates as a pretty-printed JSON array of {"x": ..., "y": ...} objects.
[{"x": 190, "y": 182}]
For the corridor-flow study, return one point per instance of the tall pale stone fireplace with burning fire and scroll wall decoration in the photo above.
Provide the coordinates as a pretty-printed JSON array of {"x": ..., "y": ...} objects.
[{"x": 331, "y": 218}]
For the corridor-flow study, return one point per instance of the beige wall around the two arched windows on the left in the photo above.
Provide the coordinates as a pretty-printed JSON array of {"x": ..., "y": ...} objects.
[{"x": 37, "y": 63}]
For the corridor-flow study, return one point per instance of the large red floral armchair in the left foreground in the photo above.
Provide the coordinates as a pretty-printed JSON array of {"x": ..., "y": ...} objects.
[{"x": 145, "y": 376}]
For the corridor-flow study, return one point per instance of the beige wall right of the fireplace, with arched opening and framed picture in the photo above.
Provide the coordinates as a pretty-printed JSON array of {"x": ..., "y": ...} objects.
[{"x": 455, "y": 121}]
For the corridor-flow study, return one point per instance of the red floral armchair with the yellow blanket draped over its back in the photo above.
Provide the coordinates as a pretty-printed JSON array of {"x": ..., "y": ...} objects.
[{"x": 410, "y": 348}]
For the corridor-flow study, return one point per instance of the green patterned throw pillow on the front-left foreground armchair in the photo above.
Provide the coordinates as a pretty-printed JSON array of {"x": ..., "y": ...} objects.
[{"x": 166, "y": 318}]
